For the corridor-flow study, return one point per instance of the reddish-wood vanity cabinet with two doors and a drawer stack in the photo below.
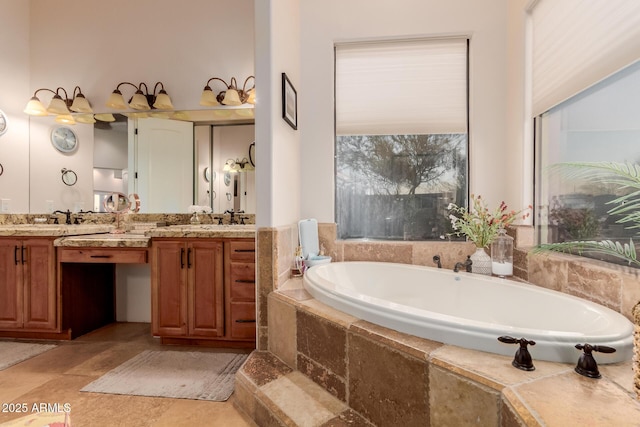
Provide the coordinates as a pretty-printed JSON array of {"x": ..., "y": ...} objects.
[{"x": 203, "y": 291}]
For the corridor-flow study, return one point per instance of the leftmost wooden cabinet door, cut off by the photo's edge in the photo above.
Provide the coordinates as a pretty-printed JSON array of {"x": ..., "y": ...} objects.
[{"x": 10, "y": 284}]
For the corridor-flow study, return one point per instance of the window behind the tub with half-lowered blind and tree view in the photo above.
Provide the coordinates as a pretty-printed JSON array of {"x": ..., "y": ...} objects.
[{"x": 401, "y": 137}]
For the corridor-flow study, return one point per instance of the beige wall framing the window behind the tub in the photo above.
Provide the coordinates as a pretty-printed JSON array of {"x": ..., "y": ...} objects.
[{"x": 331, "y": 21}]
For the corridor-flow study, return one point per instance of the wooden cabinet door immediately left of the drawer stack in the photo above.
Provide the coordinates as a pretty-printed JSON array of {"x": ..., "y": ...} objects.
[{"x": 206, "y": 303}]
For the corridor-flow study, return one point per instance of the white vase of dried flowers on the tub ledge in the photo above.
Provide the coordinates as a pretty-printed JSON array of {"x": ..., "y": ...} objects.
[{"x": 480, "y": 225}]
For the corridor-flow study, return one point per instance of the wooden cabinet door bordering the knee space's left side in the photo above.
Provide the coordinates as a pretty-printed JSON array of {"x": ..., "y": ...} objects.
[{"x": 38, "y": 270}]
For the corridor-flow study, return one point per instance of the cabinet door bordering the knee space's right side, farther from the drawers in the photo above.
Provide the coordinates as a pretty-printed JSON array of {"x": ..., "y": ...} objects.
[{"x": 169, "y": 288}]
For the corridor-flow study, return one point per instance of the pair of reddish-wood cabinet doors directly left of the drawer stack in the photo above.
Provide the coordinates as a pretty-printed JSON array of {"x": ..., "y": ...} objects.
[{"x": 187, "y": 288}]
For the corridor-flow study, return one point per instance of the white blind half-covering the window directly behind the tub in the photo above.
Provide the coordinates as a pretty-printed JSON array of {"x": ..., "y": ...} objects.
[{"x": 401, "y": 87}]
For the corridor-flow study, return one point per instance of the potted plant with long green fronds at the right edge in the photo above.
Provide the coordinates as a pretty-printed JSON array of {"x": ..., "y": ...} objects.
[{"x": 626, "y": 210}]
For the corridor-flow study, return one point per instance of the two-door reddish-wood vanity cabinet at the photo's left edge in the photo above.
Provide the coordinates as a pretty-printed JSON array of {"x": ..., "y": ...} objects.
[{"x": 28, "y": 285}]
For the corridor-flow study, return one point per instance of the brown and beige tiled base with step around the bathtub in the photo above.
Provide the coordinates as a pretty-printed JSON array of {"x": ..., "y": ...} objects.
[{"x": 326, "y": 368}]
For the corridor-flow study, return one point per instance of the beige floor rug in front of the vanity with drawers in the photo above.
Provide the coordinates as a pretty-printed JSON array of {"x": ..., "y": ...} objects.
[{"x": 178, "y": 374}]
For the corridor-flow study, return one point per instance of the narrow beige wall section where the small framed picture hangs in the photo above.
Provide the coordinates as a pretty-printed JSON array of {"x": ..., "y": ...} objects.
[{"x": 278, "y": 170}]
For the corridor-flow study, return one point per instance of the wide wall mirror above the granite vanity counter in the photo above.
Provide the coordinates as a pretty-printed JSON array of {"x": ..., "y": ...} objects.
[{"x": 109, "y": 159}]
